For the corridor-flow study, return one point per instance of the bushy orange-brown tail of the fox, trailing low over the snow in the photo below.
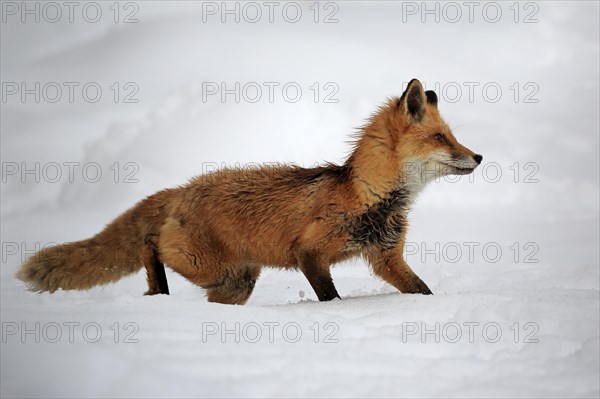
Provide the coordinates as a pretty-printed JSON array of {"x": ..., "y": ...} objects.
[{"x": 107, "y": 257}]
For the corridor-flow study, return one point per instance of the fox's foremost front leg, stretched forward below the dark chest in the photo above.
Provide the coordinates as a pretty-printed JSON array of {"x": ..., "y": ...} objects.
[{"x": 390, "y": 266}]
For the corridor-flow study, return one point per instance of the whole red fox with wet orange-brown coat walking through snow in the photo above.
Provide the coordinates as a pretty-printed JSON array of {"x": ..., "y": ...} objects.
[{"x": 220, "y": 229}]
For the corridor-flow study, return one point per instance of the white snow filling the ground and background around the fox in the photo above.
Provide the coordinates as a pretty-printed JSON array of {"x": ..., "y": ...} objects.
[{"x": 541, "y": 294}]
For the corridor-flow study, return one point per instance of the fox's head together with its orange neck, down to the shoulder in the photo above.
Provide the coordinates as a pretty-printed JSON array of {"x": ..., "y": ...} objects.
[{"x": 407, "y": 142}]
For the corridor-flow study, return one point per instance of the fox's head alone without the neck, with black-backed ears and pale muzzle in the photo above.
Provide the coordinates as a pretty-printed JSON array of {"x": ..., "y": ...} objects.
[{"x": 424, "y": 141}]
